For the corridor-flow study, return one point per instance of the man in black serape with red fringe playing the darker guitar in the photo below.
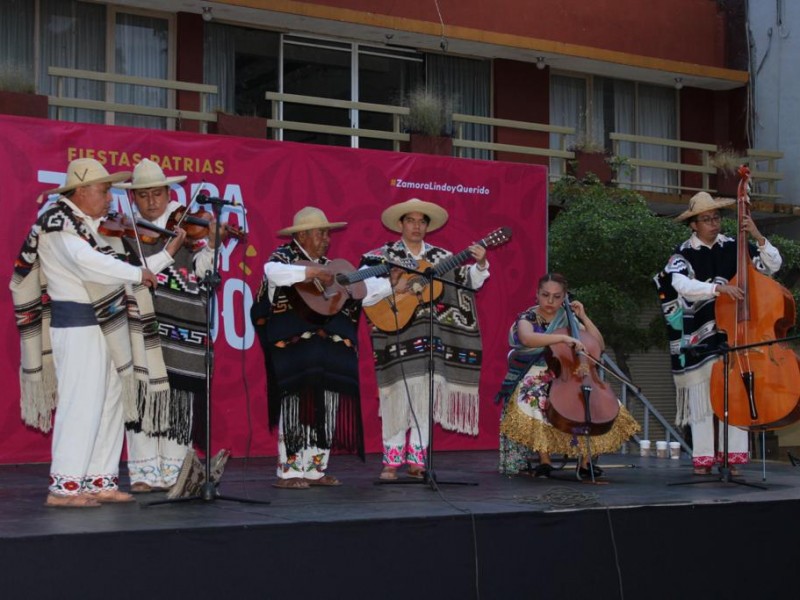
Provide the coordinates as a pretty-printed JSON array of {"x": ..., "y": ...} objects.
[{"x": 312, "y": 362}]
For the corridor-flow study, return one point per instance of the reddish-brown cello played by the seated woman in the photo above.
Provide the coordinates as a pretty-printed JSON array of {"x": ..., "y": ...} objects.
[{"x": 579, "y": 401}]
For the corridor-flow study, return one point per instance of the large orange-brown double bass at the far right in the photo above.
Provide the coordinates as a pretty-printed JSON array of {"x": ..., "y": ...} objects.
[{"x": 764, "y": 376}]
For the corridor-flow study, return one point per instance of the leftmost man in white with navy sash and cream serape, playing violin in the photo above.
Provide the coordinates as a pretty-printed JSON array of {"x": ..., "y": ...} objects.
[{"x": 73, "y": 294}]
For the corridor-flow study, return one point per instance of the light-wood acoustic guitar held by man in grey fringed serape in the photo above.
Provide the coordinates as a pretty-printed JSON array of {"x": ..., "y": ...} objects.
[{"x": 394, "y": 312}]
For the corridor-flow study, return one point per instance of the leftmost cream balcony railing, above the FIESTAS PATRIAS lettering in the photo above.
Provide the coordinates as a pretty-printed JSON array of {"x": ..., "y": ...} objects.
[{"x": 60, "y": 100}]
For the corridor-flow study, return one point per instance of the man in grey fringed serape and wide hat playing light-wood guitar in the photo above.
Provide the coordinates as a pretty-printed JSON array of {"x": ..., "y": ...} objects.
[{"x": 401, "y": 360}]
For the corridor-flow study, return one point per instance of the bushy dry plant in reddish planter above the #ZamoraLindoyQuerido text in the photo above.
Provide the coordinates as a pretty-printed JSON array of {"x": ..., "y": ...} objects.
[{"x": 429, "y": 123}]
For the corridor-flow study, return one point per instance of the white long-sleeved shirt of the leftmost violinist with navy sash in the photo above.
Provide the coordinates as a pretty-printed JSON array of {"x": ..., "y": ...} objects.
[{"x": 67, "y": 261}]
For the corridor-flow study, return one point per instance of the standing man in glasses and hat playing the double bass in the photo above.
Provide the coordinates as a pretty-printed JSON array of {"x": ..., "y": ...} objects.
[{"x": 700, "y": 270}]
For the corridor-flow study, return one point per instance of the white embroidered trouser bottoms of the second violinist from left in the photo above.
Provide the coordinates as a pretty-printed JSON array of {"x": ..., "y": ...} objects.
[{"x": 155, "y": 461}]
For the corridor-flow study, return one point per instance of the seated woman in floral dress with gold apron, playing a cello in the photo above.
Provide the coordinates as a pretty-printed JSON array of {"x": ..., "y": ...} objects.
[{"x": 525, "y": 427}]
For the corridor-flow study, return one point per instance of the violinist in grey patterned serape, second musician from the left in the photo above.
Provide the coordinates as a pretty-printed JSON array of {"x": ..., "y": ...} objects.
[{"x": 155, "y": 459}]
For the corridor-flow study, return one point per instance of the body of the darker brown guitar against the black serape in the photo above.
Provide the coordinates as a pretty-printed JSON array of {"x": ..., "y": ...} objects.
[{"x": 322, "y": 300}]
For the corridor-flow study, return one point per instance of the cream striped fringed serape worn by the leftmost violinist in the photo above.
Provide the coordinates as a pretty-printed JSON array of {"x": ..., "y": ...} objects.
[{"x": 125, "y": 316}]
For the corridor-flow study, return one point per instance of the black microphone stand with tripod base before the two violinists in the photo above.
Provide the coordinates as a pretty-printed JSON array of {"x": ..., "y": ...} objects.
[{"x": 208, "y": 492}]
